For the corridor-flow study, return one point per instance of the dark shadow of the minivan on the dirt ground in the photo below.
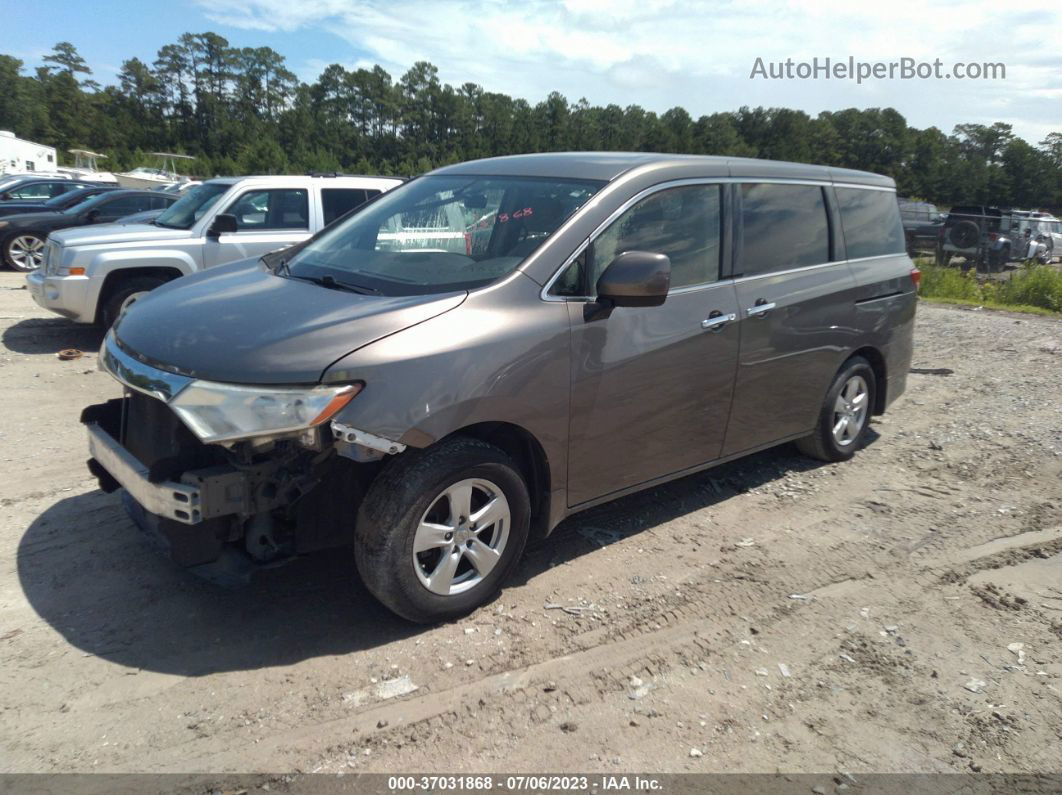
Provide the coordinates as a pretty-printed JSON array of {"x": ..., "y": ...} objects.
[{"x": 94, "y": 578}]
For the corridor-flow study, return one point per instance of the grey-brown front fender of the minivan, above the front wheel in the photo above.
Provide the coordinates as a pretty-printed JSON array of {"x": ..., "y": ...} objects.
[{"x": 501, "y": 357}]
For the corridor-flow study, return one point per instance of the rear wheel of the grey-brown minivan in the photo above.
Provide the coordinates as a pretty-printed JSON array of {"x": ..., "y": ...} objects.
[{"x": 825, "y": 444}]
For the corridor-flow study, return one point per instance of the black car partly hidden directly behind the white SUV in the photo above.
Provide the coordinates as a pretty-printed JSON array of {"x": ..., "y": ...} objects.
[{"x": 23, "y": 237}]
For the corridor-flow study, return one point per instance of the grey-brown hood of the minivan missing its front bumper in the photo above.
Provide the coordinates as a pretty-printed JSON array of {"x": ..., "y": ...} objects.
[{"x": 243, "y": 324}]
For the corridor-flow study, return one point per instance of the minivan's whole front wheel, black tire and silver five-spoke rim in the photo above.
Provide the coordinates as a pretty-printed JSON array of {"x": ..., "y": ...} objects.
[{"x": 412, "y": 494}]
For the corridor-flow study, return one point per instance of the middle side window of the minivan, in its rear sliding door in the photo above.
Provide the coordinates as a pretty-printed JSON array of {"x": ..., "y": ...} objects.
[{"x": 784, "y": 227}]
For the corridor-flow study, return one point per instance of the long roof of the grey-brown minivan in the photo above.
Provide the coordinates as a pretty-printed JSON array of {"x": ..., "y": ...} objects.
[{"x": 608, "y": 166}]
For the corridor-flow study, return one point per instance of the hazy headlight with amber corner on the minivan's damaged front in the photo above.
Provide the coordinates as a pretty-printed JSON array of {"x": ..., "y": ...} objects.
[{"x": 218, "y": 412}]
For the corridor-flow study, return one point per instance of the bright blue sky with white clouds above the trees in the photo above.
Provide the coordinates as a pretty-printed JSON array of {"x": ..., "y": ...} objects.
[{"x": 655, "y": 54}]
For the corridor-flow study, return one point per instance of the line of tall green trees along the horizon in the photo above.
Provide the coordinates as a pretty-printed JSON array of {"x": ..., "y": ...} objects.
[{"x": 242, "y": 111}]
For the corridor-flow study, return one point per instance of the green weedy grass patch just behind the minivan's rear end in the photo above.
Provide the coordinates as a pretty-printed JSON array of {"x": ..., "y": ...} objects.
[{"x": 1036, "y": 289}]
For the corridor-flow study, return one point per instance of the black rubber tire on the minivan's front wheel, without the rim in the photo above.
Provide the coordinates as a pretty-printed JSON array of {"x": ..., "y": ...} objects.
[{"x": 392, "y": 510}]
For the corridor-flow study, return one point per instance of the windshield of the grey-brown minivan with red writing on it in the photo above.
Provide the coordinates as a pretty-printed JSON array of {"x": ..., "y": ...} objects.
[{"x": 443, "y": 233}]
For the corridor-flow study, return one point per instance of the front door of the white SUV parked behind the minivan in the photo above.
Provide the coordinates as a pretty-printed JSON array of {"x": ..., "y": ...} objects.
[{"x": 267, "y": 220}]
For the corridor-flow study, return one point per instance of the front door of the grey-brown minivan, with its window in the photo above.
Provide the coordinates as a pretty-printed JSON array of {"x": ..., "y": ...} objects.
[{"x": 652, "y": 387}]
